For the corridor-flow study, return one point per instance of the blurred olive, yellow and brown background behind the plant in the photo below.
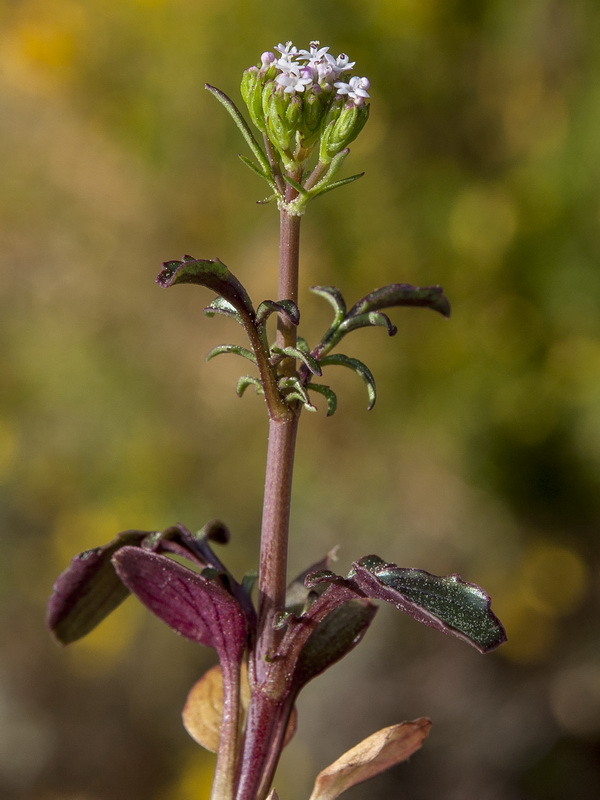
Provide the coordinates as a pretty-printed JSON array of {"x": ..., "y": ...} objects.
[{"x": 482, "y": 456}]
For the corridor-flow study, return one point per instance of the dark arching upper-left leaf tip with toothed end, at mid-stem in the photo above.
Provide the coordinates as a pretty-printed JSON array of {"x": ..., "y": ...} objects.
[{"x": 212, "y": 274}]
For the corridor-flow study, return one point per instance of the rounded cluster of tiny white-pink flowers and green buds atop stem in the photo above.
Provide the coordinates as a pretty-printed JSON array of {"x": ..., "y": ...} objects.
[{"x": 303, "y": 98}]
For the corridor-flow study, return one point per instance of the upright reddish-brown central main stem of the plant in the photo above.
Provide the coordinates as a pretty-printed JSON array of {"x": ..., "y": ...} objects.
[{"x": 270, "y": 704}]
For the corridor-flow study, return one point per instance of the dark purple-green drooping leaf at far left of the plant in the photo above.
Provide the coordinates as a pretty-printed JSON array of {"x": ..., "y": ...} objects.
[{"x": 88, "y": 590}]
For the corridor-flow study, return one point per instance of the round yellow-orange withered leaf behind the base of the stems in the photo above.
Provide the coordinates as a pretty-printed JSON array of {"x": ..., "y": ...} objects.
[{"x": 203, "y": 709}]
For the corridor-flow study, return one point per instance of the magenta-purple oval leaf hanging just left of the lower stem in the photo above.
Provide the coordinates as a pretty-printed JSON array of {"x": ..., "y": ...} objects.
[{"x": 196, "y": 606}]
